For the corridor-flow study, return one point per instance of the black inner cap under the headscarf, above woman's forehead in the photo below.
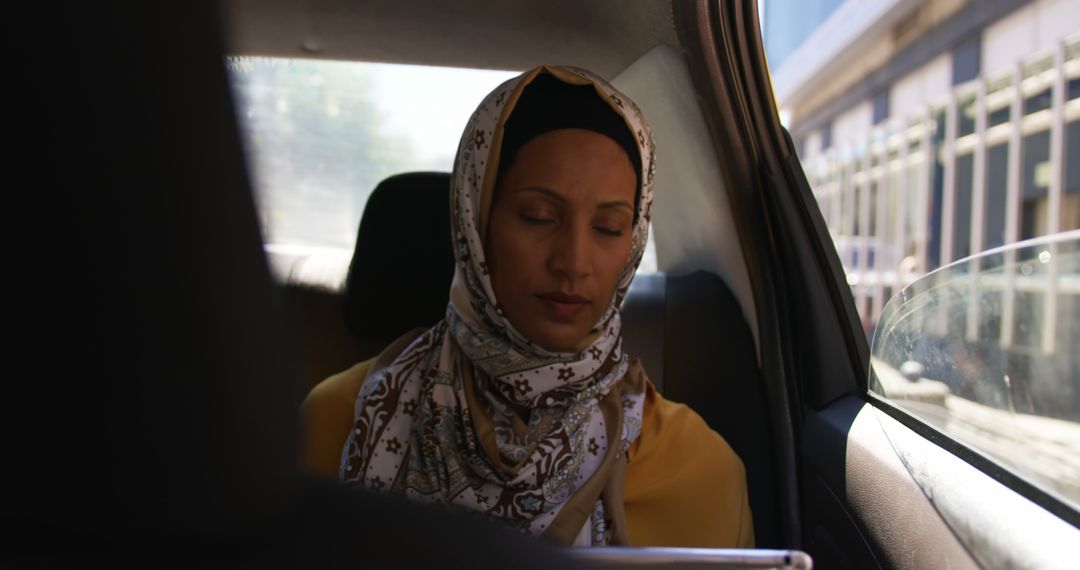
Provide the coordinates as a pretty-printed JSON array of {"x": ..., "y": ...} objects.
[{"x": 548, "y": 104}]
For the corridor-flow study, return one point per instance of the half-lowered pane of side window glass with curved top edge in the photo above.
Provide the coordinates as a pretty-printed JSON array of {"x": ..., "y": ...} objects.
[{"x": 966, "y": 350}]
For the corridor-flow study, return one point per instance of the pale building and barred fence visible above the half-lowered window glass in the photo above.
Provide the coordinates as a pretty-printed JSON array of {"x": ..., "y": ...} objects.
[{"x": 934, "y": 130}]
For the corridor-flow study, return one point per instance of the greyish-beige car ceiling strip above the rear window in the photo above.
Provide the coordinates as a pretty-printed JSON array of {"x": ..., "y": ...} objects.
[{"x": 604, "y": 36}]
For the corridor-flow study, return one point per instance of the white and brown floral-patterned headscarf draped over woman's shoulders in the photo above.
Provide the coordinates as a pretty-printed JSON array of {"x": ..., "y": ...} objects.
[{"x": 437, "y": 422}]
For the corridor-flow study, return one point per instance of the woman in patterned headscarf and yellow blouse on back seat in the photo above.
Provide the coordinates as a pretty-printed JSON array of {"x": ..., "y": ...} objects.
[{"x": 521, "y": 403}]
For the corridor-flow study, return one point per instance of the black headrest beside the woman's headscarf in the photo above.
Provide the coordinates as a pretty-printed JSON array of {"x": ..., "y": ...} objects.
[{"x": 401, "y": 270}]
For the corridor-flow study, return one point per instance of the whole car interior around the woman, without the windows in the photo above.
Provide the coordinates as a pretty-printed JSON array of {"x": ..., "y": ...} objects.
[{"x": 160, "y": 354}]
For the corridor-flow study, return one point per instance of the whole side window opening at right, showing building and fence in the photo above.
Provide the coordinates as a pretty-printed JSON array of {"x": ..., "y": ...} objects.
[{"x": 942, "y": 144}]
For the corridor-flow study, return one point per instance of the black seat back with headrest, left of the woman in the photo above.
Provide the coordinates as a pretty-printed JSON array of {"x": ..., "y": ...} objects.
[{"x": 399, "y": 279}]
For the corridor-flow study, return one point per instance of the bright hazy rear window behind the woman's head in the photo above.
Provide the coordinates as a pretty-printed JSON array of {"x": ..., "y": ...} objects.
[{"x": 320, "y": 135}]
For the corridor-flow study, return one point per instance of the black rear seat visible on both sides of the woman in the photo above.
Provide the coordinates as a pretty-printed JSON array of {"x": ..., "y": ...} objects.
[{"x": 669, "y": 320}]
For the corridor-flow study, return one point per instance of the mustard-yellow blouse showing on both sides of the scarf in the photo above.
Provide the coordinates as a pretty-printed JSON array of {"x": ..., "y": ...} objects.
[{"x": 685, "y": 486}]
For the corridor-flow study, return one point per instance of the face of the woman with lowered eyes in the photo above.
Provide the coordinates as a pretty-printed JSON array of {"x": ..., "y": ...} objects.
[{"x": 560, "y": 233}]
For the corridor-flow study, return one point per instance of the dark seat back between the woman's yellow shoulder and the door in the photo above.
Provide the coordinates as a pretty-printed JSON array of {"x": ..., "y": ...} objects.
[{"x": 697, "y": 348}]
